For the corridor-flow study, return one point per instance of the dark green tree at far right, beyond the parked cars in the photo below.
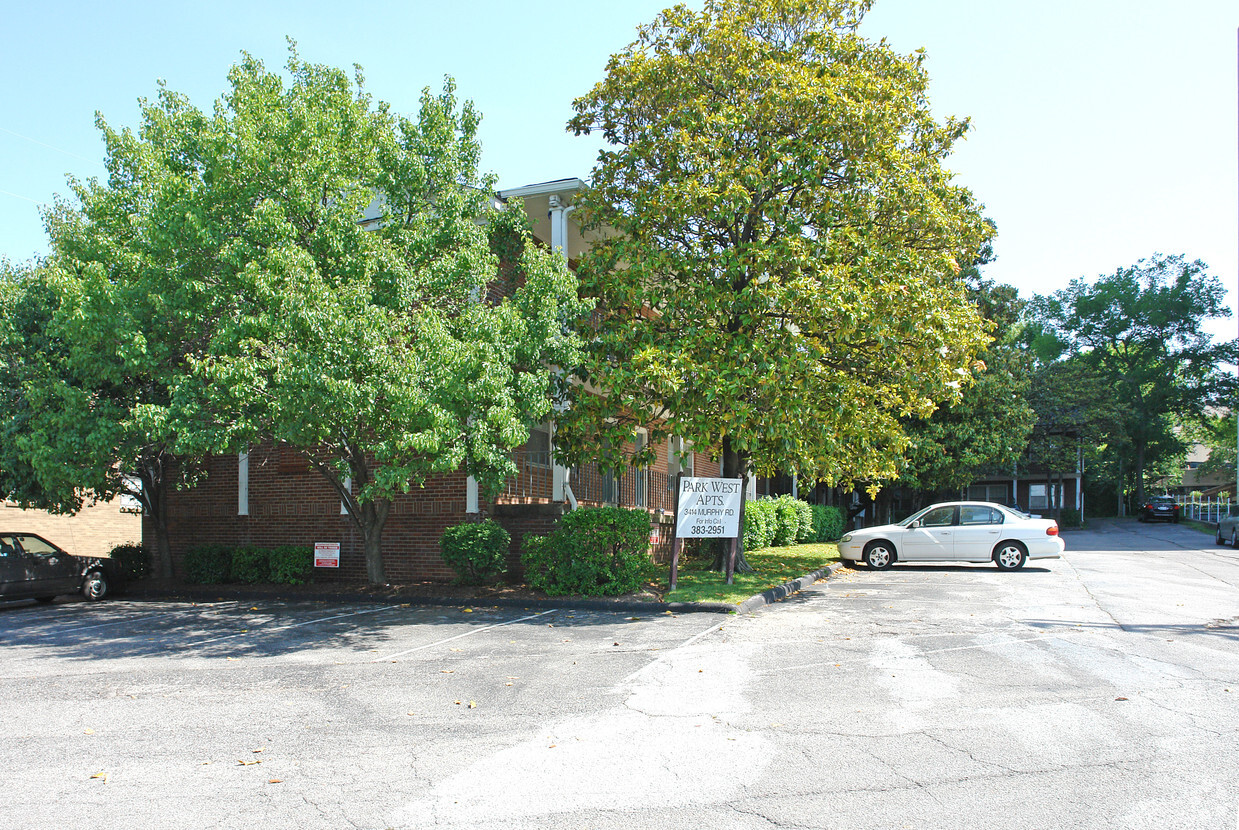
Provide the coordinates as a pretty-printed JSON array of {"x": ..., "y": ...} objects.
[{"x": 1143, "y": 330}]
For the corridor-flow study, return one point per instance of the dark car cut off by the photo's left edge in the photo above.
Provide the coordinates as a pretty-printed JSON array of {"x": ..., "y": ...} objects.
[{"x": 34, "y": 568}]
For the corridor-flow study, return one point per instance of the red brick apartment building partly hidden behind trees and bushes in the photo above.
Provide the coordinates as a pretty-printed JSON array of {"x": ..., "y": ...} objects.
[{"x": 271, "y": 496}]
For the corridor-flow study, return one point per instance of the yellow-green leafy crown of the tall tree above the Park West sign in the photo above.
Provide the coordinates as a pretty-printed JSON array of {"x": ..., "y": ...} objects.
[{"x": 777, "y": 240}]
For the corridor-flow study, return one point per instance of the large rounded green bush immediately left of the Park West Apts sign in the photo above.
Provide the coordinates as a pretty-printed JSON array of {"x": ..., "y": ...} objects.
[{"x": 593, "y": 552}]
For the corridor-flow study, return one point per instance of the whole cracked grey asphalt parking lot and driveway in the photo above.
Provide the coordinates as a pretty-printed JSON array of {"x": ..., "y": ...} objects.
[{"x": 1092, "y": 692}]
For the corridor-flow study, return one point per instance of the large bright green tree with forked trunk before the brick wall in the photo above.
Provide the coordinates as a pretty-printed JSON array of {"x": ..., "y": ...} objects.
[{"x": 304, "y": 267}]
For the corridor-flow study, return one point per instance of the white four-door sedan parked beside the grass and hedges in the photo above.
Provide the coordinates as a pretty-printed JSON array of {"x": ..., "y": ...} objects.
[{"x": 957, "y": 532}]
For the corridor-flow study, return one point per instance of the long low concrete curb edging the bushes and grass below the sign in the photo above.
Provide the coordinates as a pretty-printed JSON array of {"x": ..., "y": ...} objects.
[{"x": 750, "y": 605}]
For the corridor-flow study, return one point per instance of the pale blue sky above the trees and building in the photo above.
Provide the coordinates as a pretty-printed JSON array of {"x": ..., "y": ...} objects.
[{"x": 1105, "y": 131}]
